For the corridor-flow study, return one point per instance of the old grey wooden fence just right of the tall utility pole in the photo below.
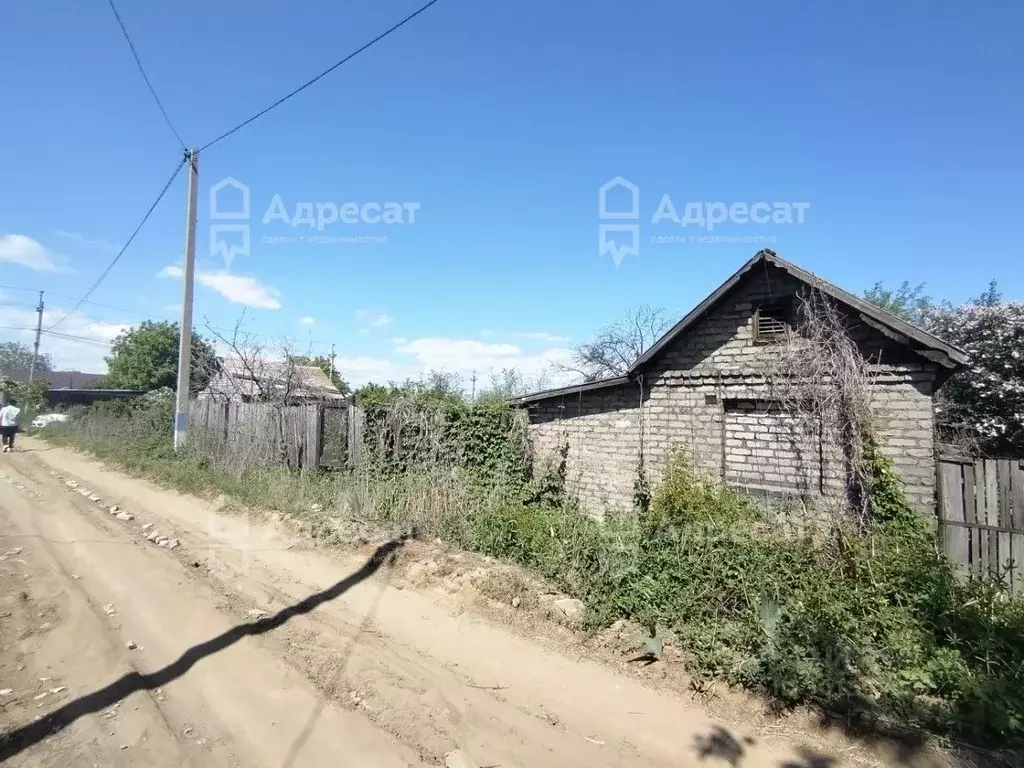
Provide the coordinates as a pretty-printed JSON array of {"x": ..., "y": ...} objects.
[{"x": 302, "y": 437}]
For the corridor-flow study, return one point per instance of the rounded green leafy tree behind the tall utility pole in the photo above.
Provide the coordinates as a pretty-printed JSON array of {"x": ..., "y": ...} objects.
[{"x": 147, "y": 358}]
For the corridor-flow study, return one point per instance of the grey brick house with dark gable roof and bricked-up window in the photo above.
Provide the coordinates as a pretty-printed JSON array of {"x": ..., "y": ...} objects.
[{"x": 703, "y": 389}]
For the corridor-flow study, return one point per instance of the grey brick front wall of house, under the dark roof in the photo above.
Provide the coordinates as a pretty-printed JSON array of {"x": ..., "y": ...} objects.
[{"x": 691, "y": 400}]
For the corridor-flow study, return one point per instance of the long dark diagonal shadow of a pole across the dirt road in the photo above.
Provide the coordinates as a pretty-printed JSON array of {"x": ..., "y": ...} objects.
[{"x": 22, "y": 739}]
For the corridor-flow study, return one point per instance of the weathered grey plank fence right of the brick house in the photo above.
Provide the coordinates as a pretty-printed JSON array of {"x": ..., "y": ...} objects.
[{"x": 982, "y": 516}]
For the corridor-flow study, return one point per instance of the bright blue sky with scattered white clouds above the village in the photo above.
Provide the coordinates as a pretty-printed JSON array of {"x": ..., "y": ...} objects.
[{"x": 899, "y": 123}]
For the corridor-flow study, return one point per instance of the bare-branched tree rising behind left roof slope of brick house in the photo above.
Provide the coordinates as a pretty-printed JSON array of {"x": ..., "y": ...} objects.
[{"x": 617, "y": 347}]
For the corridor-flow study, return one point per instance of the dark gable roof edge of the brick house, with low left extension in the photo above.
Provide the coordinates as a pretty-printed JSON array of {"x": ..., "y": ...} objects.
[{"x": 921, "y": 342}]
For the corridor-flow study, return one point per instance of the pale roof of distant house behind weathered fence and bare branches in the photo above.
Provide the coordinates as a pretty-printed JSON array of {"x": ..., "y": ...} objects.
[{"x": 243, "y": 381}]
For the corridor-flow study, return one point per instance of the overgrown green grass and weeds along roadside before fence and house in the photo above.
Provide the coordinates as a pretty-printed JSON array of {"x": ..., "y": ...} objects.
[{"x": 874, "y": 627}]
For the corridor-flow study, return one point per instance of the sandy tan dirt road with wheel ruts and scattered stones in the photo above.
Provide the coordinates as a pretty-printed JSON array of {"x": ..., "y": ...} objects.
[{"x": 242, "y": 647}]
